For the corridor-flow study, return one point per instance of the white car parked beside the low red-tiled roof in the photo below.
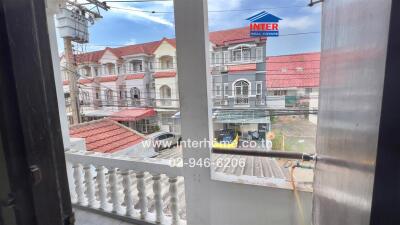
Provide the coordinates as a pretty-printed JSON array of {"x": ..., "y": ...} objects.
[{"x": 163, "y": 140}]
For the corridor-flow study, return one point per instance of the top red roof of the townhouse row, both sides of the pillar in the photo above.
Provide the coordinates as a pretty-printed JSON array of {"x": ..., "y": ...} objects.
[{"x": 237, "y": 35}]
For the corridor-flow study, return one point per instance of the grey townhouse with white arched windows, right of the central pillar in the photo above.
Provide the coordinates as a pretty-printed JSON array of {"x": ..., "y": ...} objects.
[{"x": 239, "y": 85}]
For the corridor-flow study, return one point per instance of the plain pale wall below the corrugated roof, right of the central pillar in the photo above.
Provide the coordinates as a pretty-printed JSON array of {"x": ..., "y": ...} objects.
[{"x": 238, "y": 204}]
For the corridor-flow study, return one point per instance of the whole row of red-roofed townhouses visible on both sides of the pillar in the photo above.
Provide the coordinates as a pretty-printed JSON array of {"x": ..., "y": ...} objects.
[{"x": 145, "y": 76}]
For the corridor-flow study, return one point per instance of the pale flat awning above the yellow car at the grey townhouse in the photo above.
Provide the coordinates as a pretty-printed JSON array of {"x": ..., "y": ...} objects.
[{"x": 241, "y": 116}]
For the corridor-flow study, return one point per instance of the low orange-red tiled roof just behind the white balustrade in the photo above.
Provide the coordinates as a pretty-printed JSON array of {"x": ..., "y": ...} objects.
[{"x": 106, "y": 135}]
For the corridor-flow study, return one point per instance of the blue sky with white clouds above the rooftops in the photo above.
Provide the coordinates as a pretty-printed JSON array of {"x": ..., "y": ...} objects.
[{"x": 125, "y": 23}]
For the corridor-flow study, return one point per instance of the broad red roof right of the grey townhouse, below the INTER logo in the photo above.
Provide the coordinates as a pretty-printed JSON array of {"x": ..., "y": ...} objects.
[{"x": 291, "y": 71}]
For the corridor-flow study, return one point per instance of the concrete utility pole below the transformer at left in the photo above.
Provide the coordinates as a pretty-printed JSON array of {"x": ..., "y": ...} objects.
[{"x": 73, "y": 87}]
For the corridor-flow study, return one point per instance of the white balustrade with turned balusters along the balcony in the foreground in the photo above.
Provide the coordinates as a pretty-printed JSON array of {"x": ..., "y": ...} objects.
[{"x": 146, "y": 191}]
